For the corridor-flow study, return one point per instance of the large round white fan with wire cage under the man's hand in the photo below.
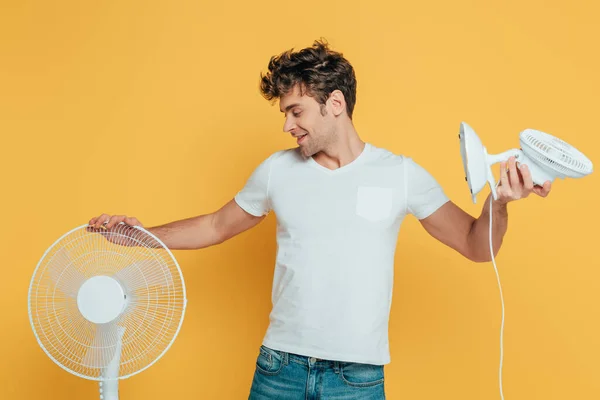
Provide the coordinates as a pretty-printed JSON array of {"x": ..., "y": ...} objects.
[{"x": 106, "y": 304}]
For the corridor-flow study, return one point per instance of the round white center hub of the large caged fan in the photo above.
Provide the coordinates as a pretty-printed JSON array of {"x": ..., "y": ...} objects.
[{"x": 101, "y": 299}]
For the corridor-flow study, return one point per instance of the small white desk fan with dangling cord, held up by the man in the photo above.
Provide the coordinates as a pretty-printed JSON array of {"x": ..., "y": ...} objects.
[{"x": 547, "y": 158}]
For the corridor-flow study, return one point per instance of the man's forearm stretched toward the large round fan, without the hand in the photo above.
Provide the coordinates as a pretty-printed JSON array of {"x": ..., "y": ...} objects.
[{"x": 188, "y": 234}]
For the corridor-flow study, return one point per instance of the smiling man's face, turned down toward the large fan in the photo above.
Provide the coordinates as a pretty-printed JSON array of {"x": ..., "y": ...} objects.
[{"x": 311, "y": 123}]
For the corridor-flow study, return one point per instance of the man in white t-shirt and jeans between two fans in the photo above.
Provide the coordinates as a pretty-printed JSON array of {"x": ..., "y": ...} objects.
[{"x": 339, "y": 203}]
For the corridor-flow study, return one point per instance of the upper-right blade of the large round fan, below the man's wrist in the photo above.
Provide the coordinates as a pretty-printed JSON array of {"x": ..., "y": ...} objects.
[{"x": 143, "y": 274}]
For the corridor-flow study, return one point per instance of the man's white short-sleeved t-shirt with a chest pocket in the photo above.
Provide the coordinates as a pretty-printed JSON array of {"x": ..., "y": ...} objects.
[{"x": 336, "y": 237}]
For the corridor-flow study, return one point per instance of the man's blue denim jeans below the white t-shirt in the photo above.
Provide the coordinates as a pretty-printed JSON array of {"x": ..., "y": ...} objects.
[{"x": 286, "y": 376}]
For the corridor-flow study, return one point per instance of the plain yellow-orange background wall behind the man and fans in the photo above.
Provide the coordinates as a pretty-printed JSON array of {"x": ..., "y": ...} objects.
[{"x": 152, "y": 109}]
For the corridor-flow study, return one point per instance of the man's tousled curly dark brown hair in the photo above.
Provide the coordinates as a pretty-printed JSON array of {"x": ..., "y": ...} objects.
[{"x": 318, "y": 70}]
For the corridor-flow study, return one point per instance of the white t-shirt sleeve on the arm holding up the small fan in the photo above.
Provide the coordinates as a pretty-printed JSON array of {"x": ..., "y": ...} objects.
[{"x": 424, "y": 194}]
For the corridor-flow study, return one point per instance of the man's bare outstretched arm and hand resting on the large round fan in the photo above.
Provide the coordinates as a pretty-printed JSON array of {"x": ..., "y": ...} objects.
[{"x": 196, "y": 232}]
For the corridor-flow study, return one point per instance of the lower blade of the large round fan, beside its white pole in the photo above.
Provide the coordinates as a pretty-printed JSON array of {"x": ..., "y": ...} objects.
[{"x": 104, "y": 345}]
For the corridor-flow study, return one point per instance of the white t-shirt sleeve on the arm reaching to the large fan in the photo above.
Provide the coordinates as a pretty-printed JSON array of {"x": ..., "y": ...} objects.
[{"x": 254, "y": 196}]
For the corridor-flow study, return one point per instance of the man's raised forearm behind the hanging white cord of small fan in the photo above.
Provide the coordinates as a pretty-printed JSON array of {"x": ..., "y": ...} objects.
[{"x": 479, "y": 234}]
